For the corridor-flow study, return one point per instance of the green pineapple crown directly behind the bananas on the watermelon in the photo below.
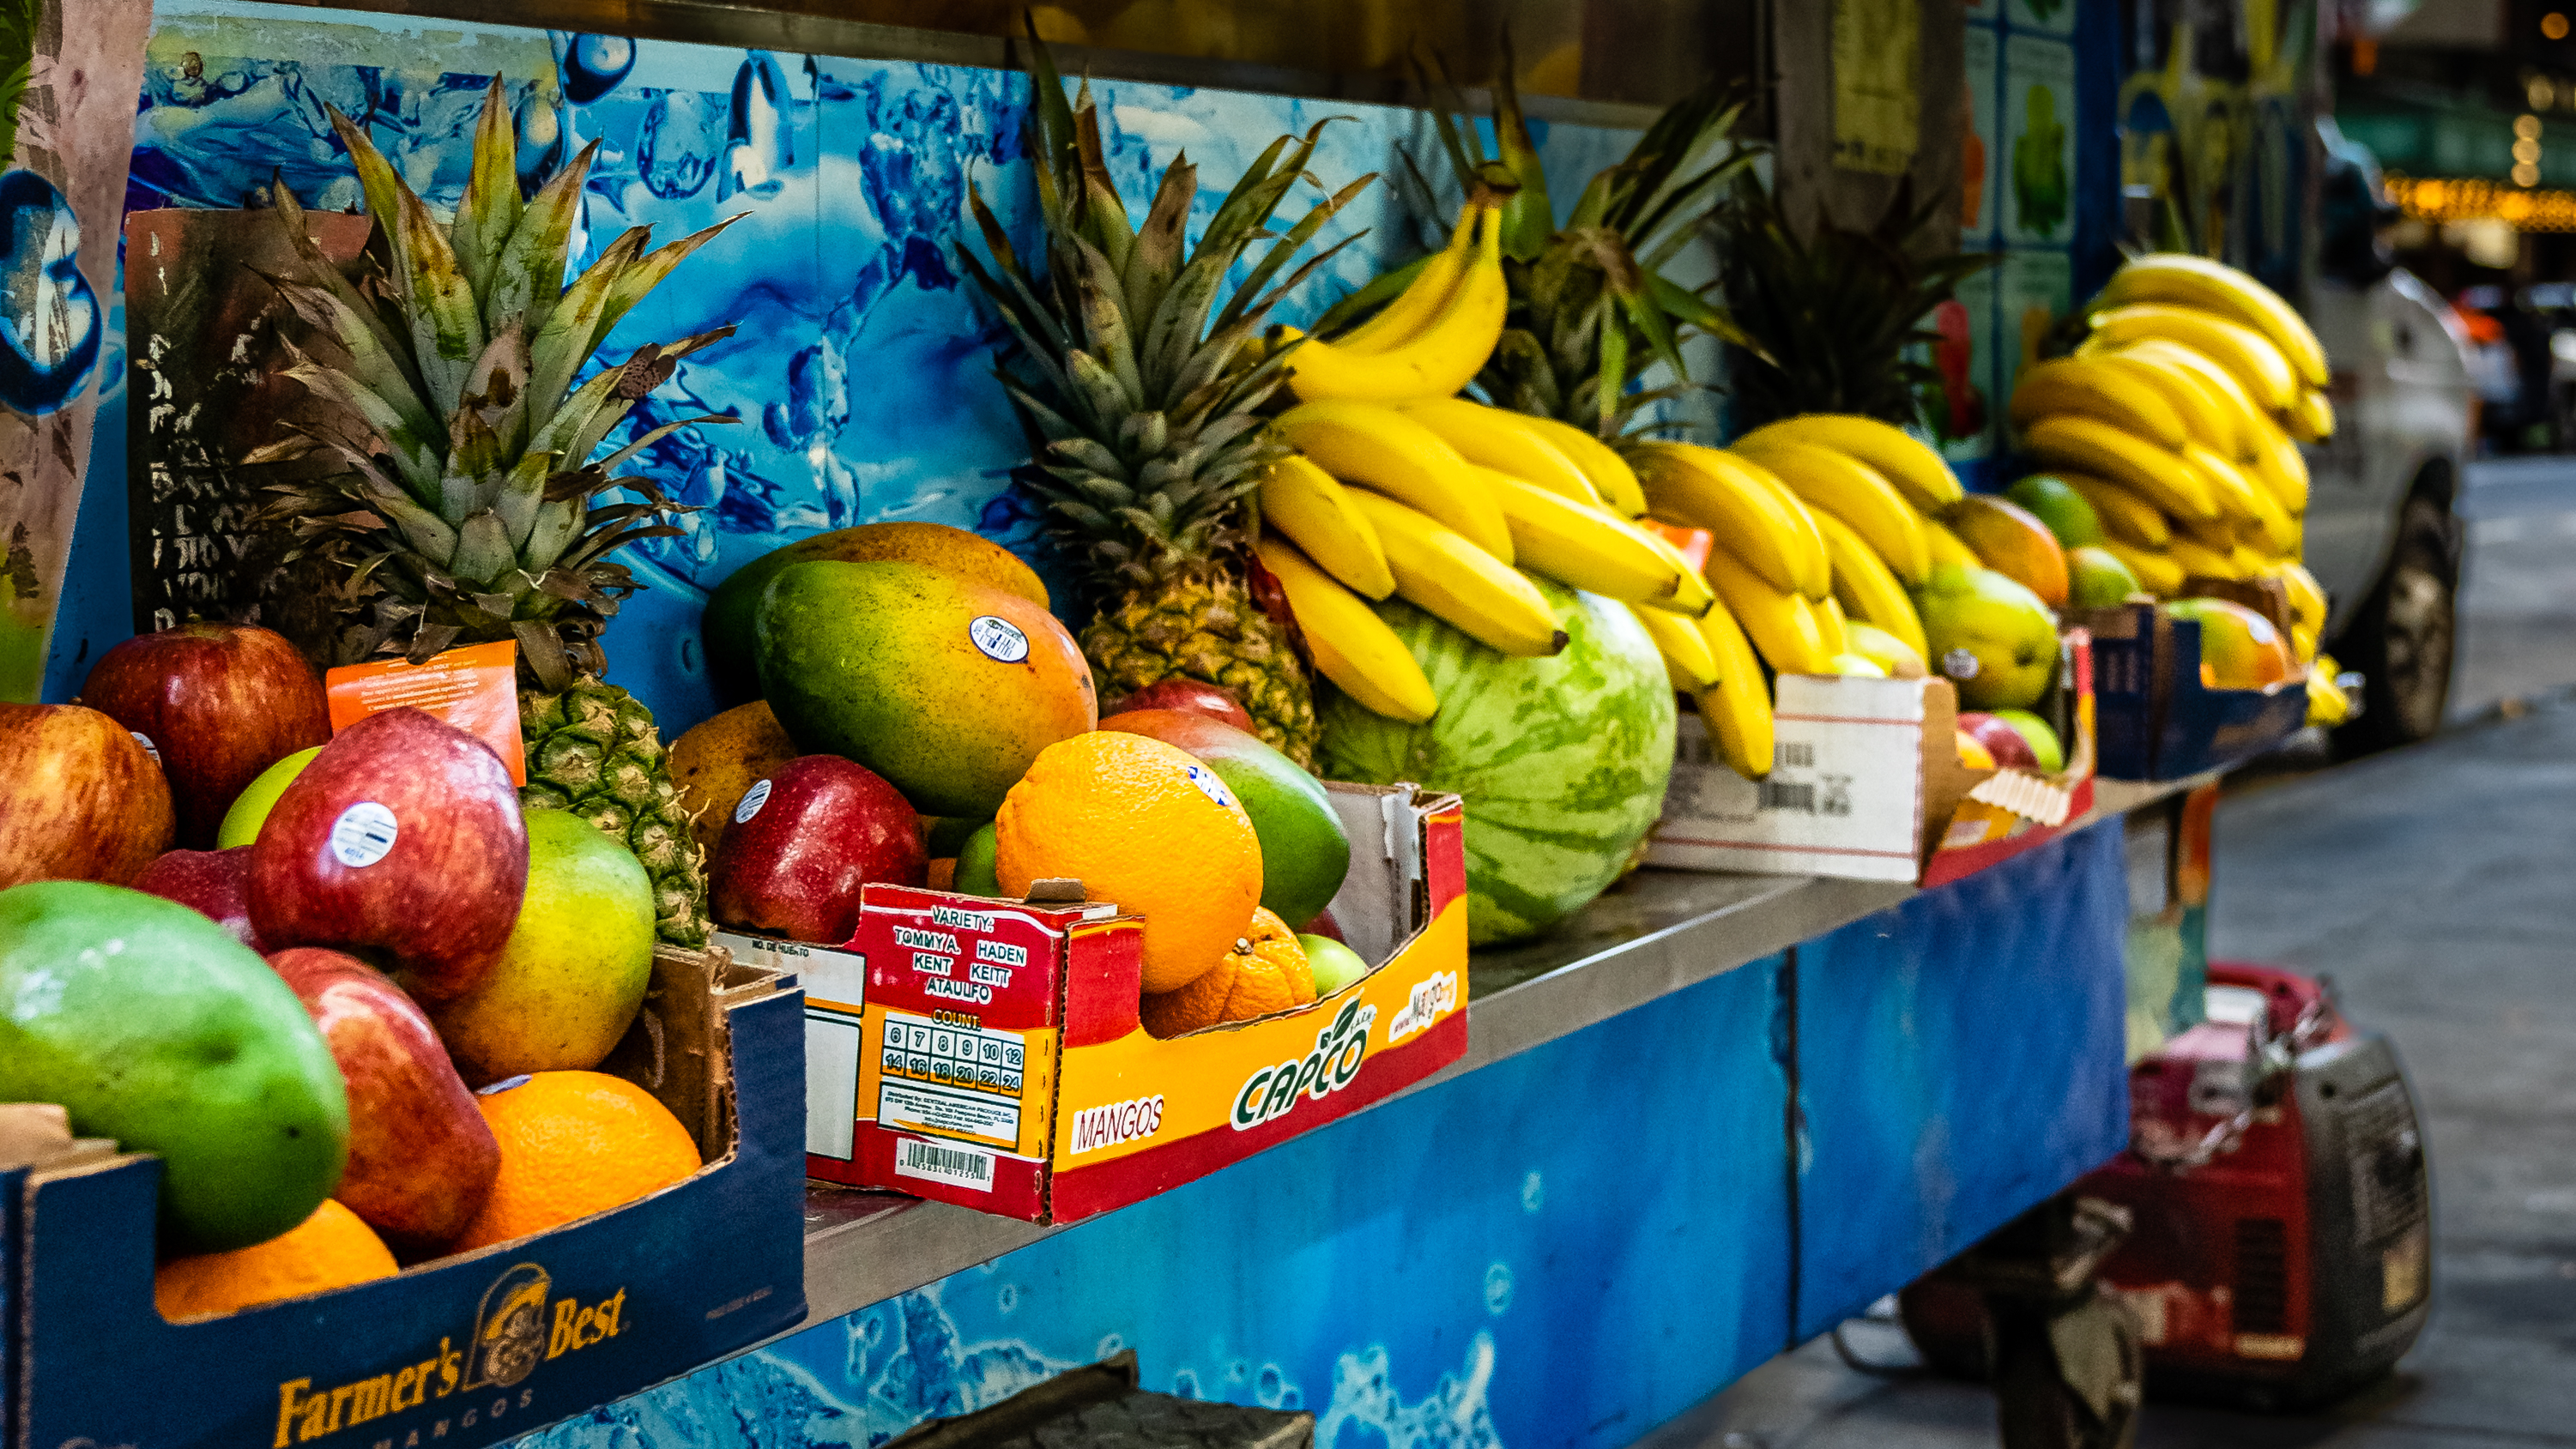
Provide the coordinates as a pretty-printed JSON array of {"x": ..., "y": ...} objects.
[{"x": 1591, "y": 308}]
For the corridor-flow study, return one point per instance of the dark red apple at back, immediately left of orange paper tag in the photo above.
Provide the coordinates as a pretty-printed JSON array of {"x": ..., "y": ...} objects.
[{"x": 220, "y": 701}]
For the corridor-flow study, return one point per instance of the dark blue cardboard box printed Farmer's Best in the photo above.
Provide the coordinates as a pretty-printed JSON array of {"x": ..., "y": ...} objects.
[{"x": 465, "y": 1350}]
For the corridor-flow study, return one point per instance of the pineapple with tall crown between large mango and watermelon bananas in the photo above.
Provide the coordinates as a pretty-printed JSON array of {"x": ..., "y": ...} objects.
[{"x": 1142, "y": 411}]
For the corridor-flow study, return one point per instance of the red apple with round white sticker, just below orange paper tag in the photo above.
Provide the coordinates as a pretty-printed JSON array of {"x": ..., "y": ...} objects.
[{"x": 401, "y": 840}]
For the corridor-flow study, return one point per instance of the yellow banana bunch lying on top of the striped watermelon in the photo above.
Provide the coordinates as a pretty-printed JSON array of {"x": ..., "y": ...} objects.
[{"x": 1397, "y": 488}]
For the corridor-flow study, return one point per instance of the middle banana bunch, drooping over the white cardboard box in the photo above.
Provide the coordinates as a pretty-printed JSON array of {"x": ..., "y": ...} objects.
[{"x": 1823, "y": 526}]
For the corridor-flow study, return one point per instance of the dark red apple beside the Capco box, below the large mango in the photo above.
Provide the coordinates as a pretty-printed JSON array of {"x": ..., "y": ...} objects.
[{"x": 805, "y": 840}]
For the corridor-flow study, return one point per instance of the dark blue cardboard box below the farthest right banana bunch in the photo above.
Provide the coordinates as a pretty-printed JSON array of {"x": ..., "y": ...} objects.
[{"x": 2157, "y": 719}]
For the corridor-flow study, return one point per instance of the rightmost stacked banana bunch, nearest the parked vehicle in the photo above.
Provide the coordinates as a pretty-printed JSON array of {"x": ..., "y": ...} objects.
[{"x": 2181, "y": 418}]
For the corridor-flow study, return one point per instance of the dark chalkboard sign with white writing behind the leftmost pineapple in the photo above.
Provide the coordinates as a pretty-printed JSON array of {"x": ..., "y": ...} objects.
[{"x": 205, "y": 390}]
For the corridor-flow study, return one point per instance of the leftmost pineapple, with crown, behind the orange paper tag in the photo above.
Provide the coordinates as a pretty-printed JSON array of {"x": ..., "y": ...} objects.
[{"x": 468, "y": 506}]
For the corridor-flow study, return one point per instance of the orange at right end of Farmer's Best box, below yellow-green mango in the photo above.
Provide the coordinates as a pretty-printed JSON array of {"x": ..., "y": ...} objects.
[{"x": 573, "y": 1144}]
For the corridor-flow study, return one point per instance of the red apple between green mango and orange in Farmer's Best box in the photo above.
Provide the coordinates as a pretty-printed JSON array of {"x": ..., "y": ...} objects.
[{"x": 421, "y": 1157}]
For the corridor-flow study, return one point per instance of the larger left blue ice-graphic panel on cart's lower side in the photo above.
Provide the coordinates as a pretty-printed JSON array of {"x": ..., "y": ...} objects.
[{"x": 1562, "y": 1250}]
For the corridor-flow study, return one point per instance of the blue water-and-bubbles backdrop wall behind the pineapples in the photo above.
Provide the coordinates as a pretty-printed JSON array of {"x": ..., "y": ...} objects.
[{"x": 862, "y": 364}]
